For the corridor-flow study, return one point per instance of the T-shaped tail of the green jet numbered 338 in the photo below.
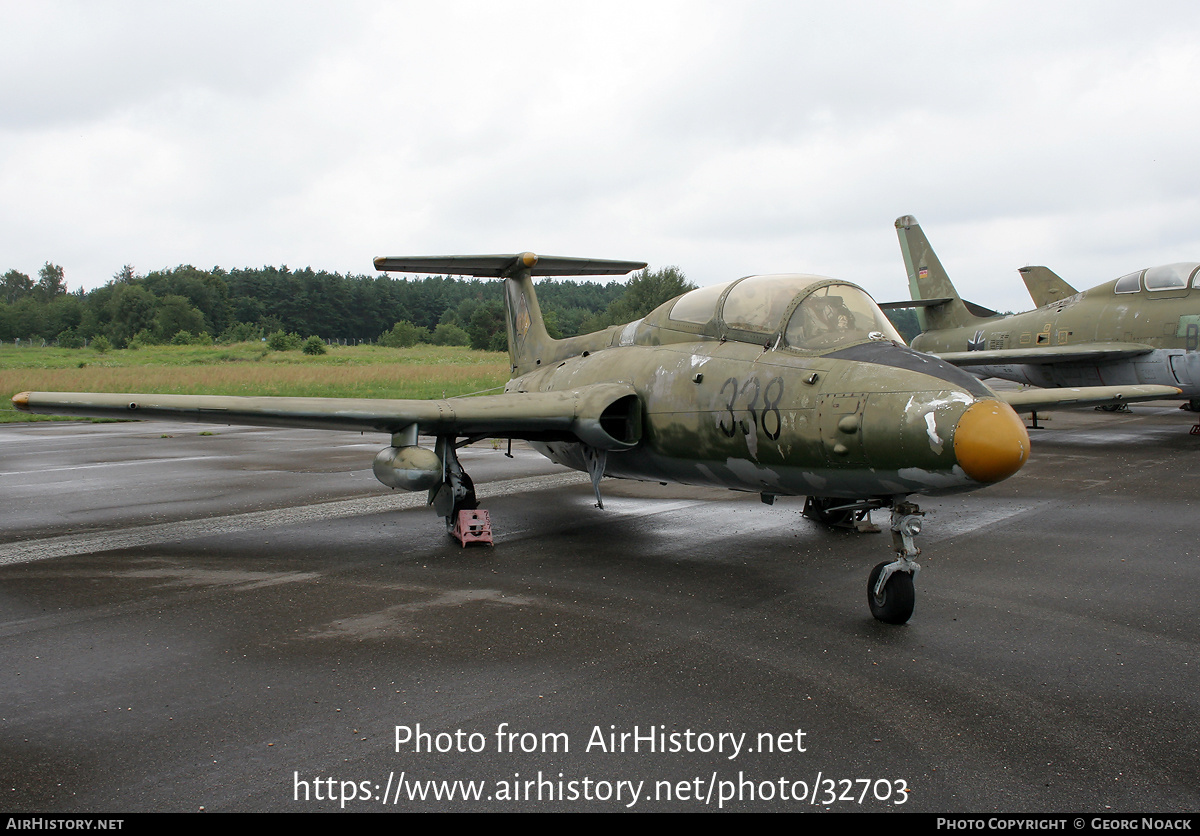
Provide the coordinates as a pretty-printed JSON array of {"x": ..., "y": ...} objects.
[{"x": 530, "y": 345}]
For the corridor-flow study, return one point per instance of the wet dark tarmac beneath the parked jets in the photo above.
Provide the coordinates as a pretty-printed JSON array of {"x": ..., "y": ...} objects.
[{"x": 239, "y": 620}]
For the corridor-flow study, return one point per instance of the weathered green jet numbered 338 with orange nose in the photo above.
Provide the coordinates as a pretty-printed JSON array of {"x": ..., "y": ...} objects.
[{"x": 779, "y": 386}]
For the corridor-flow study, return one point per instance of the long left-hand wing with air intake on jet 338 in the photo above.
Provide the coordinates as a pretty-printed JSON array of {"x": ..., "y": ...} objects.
[{"x": 607, "y": 417}]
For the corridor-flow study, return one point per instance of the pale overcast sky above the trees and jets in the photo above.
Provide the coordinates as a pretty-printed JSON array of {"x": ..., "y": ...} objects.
[{"x": 727, "y": 139}]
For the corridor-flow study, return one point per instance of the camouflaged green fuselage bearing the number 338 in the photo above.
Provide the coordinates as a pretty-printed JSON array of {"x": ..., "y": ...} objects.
[{"x": 869, "y": 420}]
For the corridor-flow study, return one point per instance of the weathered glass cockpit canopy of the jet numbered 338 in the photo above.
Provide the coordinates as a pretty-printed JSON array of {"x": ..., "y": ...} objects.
[{"x": 820, "y": 314}]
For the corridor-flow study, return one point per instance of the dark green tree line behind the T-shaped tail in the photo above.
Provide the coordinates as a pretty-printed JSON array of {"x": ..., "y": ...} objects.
[{"x": 187, "y": 304}]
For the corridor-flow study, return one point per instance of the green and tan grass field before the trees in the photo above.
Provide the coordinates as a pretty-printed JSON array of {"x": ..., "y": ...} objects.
[{"x": 249, "y": 369}]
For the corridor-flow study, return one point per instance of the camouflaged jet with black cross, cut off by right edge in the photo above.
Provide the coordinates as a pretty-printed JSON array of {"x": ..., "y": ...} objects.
[{"x": 1142, "y": 329}]
